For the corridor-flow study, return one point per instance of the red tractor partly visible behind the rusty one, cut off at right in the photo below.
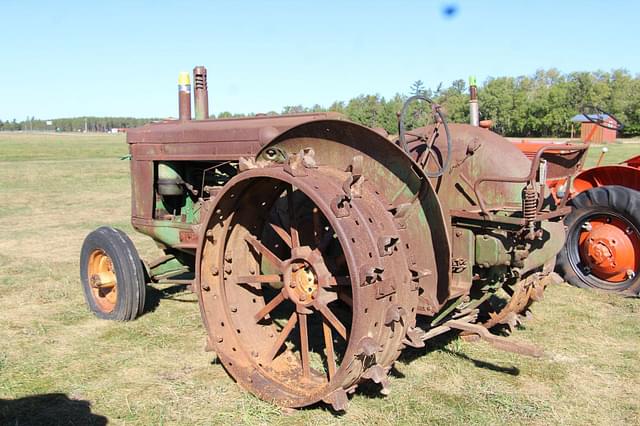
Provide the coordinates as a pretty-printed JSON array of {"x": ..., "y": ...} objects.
[{"x": 603, "y": 230}]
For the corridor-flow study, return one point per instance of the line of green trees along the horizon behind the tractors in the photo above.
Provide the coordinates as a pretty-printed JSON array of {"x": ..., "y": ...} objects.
[{"x": 537, "y": 105}]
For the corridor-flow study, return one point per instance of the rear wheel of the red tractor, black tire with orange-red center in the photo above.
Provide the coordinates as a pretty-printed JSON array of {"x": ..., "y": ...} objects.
[{"x": 603, "y": 240}]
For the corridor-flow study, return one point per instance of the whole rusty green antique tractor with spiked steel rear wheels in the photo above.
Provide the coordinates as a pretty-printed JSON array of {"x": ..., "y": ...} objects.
[{"x": 319, "y": 248}]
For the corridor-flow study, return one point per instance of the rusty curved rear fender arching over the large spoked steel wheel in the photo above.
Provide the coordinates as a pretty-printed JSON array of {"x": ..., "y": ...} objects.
[{"x": 399, "y": 181}]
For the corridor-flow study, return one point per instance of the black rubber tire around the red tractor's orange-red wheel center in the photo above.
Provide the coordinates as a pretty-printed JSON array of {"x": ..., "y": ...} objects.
[{"x": 615, "y": 201}]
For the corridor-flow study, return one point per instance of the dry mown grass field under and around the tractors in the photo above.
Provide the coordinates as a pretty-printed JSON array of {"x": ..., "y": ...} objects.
[{"x": 60, "y": 364}]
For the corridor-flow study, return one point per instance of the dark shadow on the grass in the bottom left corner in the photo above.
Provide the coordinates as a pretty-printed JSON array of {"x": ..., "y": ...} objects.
[{"x": 48, "y": 409}]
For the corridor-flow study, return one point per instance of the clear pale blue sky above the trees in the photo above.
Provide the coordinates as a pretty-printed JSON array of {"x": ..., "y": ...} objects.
[{"x": 71, "y": 58}]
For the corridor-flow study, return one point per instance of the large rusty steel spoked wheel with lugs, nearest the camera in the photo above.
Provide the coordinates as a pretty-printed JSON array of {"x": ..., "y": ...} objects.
[{"x": 284, "y": 288}]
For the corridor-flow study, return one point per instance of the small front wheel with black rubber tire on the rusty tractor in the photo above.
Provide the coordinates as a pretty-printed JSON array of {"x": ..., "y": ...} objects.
[{"x": 124, "y": 262}]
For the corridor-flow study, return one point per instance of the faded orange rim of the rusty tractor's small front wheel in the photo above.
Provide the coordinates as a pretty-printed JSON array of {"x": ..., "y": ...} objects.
[{"x": 103, "y": 281}]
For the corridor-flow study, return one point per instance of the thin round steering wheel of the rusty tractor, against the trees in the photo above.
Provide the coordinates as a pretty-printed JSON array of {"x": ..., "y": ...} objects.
[{"x": 440, "y": 119}]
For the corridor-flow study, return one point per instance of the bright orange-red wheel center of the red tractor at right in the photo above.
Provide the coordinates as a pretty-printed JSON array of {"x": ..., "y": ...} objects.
[{"x": 610, "y": 248}]
